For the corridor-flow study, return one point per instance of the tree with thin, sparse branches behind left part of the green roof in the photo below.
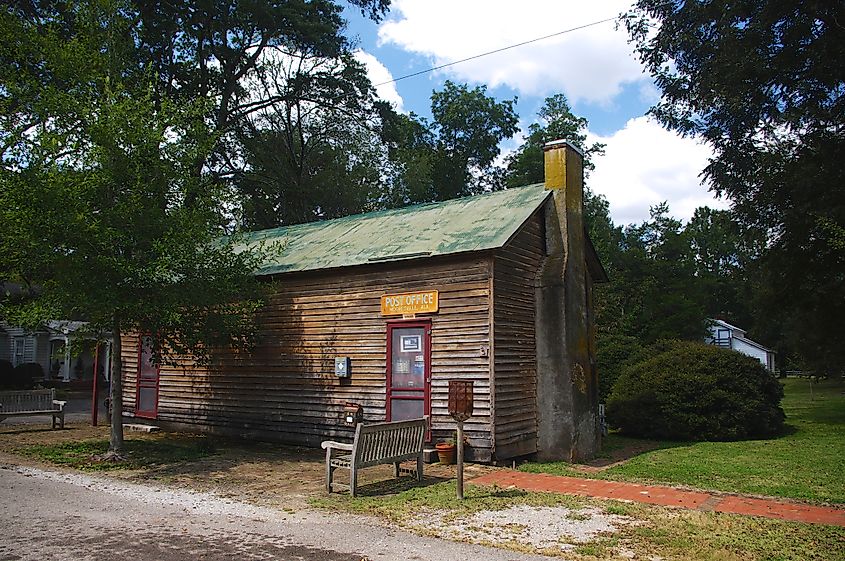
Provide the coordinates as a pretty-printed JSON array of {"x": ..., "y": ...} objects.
[{"x": 313, "y": 153}]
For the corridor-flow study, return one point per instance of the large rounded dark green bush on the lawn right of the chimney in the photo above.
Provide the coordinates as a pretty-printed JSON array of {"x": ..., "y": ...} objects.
[{"x": 681, "y": 390}]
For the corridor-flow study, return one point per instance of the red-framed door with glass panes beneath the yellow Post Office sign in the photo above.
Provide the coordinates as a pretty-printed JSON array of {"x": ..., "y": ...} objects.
[{"x": 408, "y": 370}]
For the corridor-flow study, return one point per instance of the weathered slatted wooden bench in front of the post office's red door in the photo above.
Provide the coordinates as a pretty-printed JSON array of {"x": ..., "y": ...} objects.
[{"x": 377, "y": 443}]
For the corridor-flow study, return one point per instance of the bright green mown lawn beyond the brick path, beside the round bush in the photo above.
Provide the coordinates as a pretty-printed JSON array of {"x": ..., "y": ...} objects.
[{"x": 808, "y": 463}]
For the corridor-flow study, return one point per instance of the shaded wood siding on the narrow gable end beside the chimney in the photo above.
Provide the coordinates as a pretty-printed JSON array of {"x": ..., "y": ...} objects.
[{"x": 514, "y": 346}]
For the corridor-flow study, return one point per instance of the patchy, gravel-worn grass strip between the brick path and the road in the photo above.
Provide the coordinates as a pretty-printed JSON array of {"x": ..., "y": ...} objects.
[{"x": 652, "y": 532}]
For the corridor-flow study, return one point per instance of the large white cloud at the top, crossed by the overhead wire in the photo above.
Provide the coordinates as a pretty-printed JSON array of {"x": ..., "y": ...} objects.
[{"x": 589, "y": 64}]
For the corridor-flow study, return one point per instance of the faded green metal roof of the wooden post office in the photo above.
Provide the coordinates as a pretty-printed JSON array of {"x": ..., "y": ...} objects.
[{"x": 469, "y": 224}]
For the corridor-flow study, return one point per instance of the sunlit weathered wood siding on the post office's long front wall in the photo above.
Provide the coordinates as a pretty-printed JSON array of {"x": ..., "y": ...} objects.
[{"x": 286, "y": 389}]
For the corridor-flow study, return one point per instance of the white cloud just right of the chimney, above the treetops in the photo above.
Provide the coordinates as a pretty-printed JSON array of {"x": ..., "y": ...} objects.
[{"x": 643, "y": 165}]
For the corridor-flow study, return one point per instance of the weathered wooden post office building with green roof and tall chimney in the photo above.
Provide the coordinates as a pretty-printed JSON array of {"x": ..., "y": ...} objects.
[{"x": 383, "y": 309}]
